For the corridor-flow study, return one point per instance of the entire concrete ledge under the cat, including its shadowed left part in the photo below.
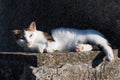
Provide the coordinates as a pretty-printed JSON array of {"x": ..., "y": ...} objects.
[{"x": 59, "y": 66}]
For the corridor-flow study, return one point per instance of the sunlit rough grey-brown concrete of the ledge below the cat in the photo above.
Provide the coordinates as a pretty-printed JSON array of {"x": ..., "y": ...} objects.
[{"x": 74, "y": 66}]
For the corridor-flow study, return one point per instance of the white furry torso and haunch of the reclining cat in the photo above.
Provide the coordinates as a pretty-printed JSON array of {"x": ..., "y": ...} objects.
[{"x": 68, "y": 38}]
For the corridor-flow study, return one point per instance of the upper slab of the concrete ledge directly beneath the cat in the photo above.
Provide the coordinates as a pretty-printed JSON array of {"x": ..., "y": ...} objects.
[{"x": 40, "y": 59}]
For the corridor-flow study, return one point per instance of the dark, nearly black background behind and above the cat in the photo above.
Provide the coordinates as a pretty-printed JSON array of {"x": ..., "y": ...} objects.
[{"x": 101, "y": 15}]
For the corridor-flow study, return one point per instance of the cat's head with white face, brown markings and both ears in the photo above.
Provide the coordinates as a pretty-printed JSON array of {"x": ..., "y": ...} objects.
[{"x": 26, "y": 36}]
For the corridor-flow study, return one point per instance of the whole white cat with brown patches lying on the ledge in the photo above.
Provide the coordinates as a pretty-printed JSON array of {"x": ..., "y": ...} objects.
[{"x": 62, "y": 39}]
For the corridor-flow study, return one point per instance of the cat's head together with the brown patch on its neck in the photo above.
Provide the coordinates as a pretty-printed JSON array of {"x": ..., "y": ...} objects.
[{"x": 30, "y": 35}]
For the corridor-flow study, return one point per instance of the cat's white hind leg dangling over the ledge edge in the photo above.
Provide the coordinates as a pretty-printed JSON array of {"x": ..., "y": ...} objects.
[{"x": 99, "y": 40}]
